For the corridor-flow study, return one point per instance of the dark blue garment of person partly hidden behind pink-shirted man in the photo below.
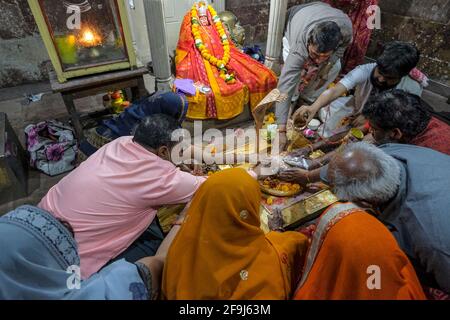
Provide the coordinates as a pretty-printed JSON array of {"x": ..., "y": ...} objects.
[{"x": 172, "y": 104}]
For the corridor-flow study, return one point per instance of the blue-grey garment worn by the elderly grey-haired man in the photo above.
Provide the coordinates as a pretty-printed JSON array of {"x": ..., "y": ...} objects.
[{"x": 419, "y": 215}]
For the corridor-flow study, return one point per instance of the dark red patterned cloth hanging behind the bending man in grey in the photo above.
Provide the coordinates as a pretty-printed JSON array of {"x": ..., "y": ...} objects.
[{"x": 356, "y": 10}]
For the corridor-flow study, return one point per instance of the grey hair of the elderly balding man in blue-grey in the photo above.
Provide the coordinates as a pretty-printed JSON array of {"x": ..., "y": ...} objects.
[{"x": 378, "y": 176}]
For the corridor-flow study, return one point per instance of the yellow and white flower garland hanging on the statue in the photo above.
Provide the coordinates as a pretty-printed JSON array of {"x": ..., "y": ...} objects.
[{"x": 219, "y": 63}]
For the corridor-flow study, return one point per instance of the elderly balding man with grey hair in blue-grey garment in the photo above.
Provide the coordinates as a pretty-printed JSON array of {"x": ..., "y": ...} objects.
[{"x": 408, "y": 189}]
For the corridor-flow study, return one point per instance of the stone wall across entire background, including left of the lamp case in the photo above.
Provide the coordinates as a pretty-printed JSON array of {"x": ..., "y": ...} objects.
[{"x": 426, "y": 22}]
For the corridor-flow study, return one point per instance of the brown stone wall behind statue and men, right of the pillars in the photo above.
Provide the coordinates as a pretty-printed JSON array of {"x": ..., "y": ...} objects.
[{"x": 425, "y": 22}]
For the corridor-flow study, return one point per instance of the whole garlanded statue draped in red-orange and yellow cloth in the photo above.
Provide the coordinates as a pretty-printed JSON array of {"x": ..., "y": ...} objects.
[{"x": 206, "y": 54}]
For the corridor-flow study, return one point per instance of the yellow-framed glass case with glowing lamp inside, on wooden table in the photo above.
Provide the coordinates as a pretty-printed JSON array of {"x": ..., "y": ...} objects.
[{"x": 103, "y": 43}]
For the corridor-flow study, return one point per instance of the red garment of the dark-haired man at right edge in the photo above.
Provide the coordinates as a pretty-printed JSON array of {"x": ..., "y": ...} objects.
[{"x": 436, "y": 136}]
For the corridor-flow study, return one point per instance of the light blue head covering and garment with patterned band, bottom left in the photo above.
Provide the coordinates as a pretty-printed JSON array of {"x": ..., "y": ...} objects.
[{"x": 39, "y": 260}]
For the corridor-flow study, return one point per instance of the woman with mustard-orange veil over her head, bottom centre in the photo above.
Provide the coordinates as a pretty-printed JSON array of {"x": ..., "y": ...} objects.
[{"x": 220, "y": 251}]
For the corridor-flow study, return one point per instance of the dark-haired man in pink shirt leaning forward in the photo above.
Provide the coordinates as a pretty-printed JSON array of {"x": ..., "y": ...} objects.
[{"x": 112, "y": 198}]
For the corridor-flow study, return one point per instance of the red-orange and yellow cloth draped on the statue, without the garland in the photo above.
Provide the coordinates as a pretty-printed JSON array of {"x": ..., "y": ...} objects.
[{"x": 253, "y": 80}]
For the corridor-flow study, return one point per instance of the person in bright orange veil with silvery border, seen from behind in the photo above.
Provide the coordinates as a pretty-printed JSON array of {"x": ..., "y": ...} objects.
[{"x": 354, "y": 256}]
